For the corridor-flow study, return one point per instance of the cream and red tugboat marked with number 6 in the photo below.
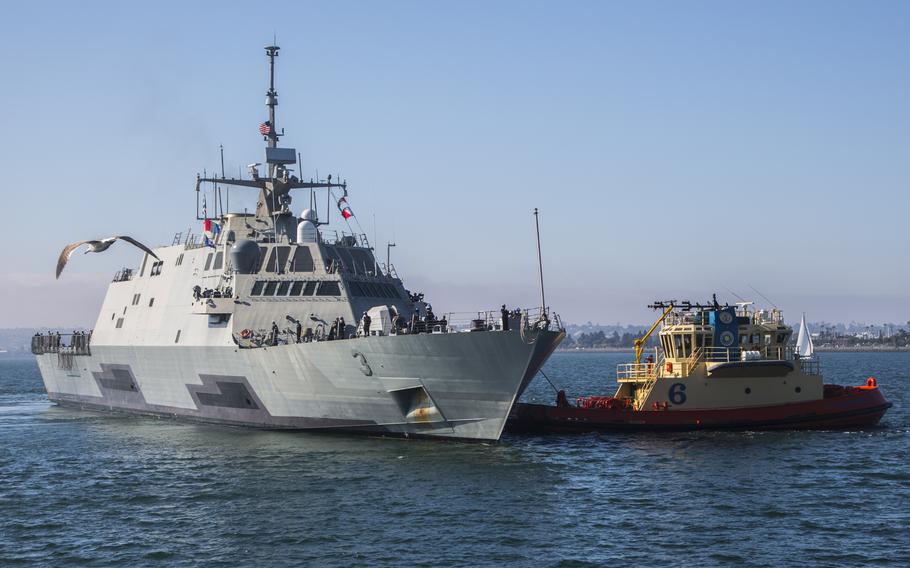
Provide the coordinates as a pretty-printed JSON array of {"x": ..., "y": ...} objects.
[{"x": 717, "y": 367}]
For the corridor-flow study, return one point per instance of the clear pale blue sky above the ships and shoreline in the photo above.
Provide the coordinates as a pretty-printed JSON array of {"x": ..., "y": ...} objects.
[{"x": 674, "y": 148}]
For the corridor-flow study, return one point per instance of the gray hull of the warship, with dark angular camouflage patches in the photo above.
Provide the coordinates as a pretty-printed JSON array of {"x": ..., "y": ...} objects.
[{"x": 455, "y": 385}]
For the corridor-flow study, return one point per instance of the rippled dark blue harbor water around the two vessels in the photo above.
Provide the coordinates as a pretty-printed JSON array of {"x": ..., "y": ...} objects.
[{"x": 85, "y": 489}]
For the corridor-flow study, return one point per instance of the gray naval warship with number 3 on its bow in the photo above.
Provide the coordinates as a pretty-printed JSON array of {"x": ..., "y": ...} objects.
[{"x": 260, "y": 322}]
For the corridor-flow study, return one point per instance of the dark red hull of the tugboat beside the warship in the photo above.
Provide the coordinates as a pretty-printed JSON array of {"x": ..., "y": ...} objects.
[{"x": 842, "y": 407}]
